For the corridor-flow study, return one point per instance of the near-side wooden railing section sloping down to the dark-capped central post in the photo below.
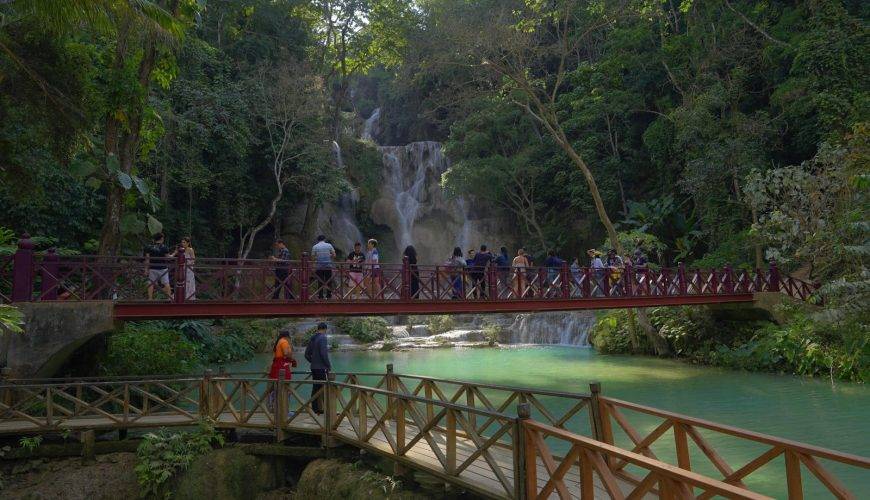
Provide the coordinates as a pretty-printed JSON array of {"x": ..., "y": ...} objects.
[{"x": 440, "y": 436}]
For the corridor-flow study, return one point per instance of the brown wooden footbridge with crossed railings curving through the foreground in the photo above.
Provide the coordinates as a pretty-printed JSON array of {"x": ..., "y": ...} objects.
[{"x": 496, "y": 441}]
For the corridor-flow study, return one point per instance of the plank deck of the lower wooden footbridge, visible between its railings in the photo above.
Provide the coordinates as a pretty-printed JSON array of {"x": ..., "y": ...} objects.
[{"x": 478, "y": 477}]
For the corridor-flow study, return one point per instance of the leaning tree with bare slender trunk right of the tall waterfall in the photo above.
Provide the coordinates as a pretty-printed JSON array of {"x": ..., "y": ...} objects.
[{"x": 531, "y": 47}]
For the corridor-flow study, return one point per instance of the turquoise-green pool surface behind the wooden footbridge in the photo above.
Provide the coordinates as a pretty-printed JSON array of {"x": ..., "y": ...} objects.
[{"x": 808, "y": 410}]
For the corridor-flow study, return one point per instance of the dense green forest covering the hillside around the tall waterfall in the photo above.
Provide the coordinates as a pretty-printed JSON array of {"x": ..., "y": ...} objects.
[{"x": 709, "y": 132}]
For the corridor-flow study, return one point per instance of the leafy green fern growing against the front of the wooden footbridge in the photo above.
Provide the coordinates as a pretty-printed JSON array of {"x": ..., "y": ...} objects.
[{"x": 161, "y": 455}]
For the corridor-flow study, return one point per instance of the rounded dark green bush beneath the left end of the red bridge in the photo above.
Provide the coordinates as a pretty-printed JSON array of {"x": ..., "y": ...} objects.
[{"x": 149, "y": 349}]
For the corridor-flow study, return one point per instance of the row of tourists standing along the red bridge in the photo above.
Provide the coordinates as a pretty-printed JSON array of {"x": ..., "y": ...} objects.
[{"x": 465, "y": 273}]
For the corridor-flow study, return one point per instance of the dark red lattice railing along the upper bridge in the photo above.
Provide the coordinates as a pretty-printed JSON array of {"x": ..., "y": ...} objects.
[{"x": 30, "y": 277}]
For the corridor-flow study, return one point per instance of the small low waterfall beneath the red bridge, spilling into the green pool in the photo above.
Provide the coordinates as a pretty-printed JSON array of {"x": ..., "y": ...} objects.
[{"x": 568, "y": 328}]
